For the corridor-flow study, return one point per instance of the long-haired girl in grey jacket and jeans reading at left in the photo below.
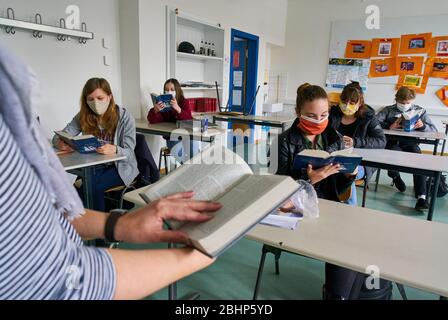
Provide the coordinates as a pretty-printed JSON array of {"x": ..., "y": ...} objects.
[{"x": 115, "y": 127}]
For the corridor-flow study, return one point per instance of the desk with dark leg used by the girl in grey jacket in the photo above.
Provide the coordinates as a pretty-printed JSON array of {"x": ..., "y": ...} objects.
[{"x": 82, "y": 166}]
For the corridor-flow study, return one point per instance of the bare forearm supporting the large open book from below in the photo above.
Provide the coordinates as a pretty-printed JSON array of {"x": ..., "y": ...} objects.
[{"x": 141, "y": 273}]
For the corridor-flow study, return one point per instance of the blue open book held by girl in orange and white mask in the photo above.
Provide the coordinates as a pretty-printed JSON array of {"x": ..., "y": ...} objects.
[{"x": 319, "y": 159}]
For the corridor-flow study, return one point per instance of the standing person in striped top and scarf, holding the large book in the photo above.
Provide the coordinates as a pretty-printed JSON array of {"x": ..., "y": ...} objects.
[{"x": 43, "y": 221}]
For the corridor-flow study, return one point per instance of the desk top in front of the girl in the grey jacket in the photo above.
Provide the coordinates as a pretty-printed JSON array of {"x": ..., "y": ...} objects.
[{"x": 75, "y": 160}]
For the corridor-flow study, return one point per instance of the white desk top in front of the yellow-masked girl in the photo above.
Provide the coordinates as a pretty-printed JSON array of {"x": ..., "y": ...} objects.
[{"x": 404, "y": 159}]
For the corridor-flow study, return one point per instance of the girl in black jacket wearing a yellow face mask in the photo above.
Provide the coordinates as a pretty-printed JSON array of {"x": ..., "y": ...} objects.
[{"x": 356, "y": 121}]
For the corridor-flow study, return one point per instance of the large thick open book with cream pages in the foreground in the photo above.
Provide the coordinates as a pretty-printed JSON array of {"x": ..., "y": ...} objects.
[{"x": 246, "y": 198}]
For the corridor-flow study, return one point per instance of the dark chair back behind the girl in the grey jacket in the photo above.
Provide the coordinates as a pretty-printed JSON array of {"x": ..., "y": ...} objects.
[{"x": 149, "y": 172}]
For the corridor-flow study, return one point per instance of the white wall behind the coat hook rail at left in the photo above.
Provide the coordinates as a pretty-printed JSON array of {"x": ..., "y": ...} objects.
[{"x": 64, "y": 67}]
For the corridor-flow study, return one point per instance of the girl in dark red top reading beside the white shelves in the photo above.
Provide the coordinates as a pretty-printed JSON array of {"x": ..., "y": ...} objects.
[{"x": 180, "y": 112}]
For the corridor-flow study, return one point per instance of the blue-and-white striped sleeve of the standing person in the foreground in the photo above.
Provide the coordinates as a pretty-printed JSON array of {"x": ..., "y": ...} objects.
[{"x": 41, "y": 255}]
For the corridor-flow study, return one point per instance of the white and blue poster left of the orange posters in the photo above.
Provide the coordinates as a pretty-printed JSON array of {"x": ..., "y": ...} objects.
[{"x": 343, "y": 71}]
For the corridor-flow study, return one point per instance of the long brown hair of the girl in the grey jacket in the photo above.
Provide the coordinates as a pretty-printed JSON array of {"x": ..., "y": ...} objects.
[{"x": 90, "y": 122}]
